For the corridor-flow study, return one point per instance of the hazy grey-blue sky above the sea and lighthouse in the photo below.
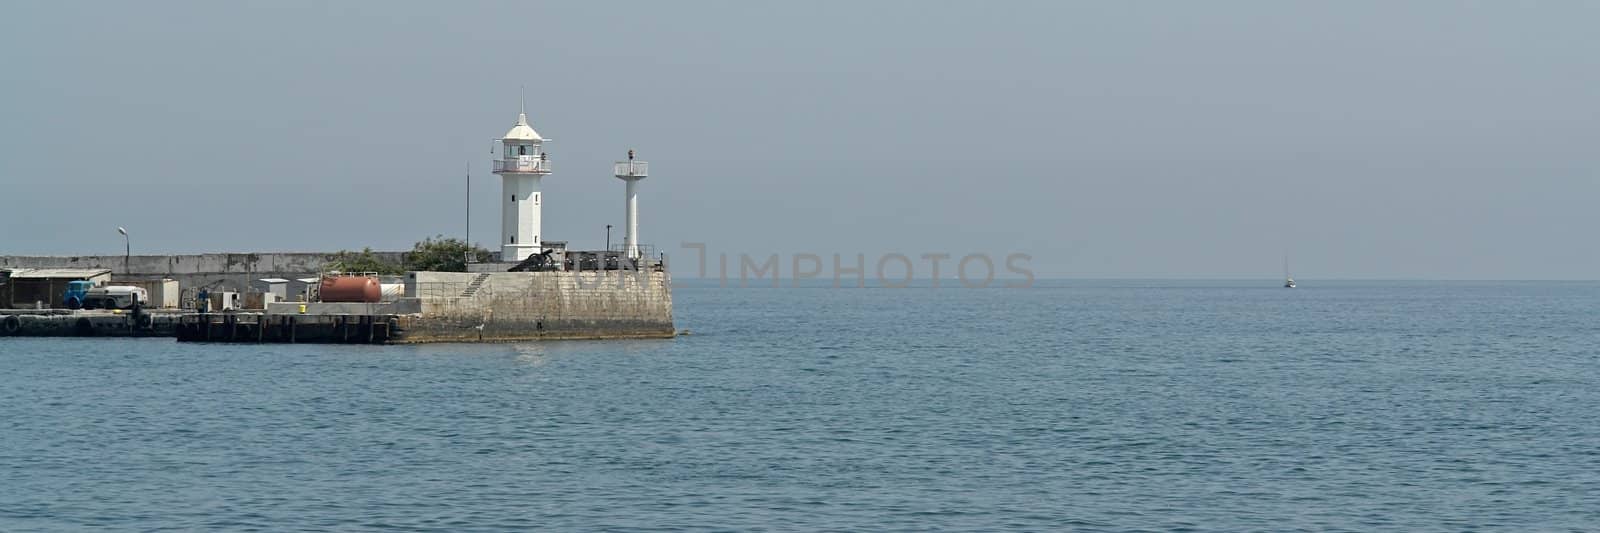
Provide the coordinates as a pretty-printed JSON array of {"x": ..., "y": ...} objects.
[{"x": 1394, "y": 140}]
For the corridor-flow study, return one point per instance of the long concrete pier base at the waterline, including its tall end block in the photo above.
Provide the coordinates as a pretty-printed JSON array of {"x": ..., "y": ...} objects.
[{"x": 438, "y": 308}]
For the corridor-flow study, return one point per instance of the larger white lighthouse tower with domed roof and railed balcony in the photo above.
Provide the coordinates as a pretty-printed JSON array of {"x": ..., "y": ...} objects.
[{"x": 522, "y": 166}]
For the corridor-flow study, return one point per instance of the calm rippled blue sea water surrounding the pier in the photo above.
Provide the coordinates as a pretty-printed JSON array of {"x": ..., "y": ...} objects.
[{"x": 1079, "y": 406}]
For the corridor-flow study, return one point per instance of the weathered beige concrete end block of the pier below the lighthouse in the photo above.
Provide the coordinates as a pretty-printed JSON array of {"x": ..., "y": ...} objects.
[{"x": 522, "y": 307}]
